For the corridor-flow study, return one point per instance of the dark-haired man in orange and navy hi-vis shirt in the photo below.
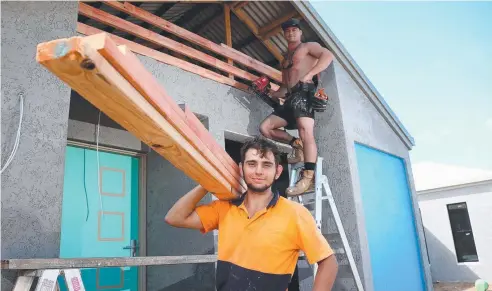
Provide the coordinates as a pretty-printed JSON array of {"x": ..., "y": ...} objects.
[{"x": 260, "y": 233}]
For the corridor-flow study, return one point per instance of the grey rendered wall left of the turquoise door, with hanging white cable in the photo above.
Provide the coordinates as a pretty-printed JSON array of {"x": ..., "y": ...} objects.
[{"x": 32, "y": 185}]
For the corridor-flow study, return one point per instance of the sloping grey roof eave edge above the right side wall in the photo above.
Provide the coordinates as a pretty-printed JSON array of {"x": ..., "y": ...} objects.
[{"x": 318, "y": 25}]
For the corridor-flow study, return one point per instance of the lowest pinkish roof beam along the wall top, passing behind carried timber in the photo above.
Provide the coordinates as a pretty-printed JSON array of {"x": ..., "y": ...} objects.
[{"x": 164, "y": 58}]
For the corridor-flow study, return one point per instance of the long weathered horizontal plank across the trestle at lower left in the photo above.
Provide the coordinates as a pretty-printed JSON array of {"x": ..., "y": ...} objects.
[{"x": 55, "y": 263}]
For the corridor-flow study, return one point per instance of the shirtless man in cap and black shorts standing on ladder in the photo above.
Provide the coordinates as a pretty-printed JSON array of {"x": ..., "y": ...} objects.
[{"x": 303, "y": 62}]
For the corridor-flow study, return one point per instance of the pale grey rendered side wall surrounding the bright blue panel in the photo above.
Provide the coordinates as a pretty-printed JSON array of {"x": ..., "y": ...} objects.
[{"x": 364, "y": 124}]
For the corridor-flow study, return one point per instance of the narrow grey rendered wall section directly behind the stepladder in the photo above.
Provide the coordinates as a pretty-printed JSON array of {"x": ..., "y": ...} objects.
[{"x": 331, "y": 140}]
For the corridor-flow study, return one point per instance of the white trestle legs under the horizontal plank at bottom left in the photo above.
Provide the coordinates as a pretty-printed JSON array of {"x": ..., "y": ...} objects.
[{"x": 48, "y": 280}]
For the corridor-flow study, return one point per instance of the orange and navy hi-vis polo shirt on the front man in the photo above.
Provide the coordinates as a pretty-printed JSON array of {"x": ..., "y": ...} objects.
[{"x": 261, "y": 252}]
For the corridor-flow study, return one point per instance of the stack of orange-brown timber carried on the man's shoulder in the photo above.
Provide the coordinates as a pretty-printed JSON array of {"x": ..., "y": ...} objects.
[{"x": 113, "y": 79}]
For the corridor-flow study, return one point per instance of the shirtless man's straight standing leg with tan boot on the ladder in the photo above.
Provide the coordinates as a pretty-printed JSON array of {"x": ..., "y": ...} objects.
[{"x": 306, "y": 132}]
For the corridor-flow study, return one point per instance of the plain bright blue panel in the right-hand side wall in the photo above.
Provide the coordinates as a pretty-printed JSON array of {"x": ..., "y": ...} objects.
[{"x": 390, "y": 221}]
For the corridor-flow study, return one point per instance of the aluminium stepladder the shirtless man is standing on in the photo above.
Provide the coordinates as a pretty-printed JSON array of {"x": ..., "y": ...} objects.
[{"x": 321, "y": 183}]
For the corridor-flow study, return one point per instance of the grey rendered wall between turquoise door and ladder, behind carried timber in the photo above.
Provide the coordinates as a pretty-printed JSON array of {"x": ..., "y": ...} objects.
[{"x": 227, "y": 109}]
